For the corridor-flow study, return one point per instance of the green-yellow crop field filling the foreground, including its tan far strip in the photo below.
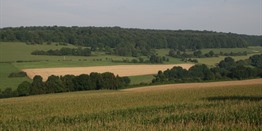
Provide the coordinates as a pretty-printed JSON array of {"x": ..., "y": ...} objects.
[{"x": 232, "y": 105}]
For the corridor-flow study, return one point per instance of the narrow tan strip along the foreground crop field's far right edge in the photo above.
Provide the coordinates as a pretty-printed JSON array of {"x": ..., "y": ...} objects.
[{"x": 198, "y": 85}]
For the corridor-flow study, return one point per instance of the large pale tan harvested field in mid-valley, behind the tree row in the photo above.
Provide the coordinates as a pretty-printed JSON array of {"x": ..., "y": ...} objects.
[{"x": 121, "y": 70}]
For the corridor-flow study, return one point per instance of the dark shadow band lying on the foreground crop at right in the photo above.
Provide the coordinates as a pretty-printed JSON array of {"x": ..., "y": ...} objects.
[{"x": 239, "y": 98}]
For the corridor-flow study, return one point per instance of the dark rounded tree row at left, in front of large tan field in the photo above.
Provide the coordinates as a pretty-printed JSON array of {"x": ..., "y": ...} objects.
[{"x": 68, "y": 83}]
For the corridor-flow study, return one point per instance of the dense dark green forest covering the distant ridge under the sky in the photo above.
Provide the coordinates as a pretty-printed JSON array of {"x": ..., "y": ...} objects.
[{"x": 128, "y": 42}]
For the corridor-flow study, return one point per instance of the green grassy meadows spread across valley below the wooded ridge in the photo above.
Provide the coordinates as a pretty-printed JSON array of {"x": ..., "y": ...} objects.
[{"x": 16, "y": 56}]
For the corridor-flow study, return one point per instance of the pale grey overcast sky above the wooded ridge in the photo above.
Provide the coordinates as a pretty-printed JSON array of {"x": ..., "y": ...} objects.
[{"x": 237, "y": 16}]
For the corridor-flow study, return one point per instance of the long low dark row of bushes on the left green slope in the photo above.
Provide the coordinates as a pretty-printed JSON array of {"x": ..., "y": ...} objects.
[{"x": 65, "y": 51}]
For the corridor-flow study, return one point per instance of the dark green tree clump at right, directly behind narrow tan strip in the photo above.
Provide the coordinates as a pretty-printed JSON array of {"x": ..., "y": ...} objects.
[{"x": 226, "y": 69}]
